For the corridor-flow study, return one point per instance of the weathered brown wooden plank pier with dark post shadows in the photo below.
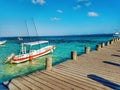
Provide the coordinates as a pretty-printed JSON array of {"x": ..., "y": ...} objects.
[{"x": 90, "y": 71}]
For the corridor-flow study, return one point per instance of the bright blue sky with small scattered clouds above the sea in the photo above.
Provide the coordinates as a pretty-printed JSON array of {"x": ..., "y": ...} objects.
[{"x": 59, "y": 17}]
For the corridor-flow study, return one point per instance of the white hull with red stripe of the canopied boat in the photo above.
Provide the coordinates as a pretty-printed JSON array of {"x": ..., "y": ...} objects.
[{"x": 33, "y": 54}]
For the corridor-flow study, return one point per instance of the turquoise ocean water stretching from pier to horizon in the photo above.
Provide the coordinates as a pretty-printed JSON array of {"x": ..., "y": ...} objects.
[{"x": 64, "y": 46}]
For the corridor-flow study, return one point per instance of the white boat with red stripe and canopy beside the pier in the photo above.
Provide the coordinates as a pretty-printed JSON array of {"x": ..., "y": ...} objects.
[{"x": 32, "y": 54}]
